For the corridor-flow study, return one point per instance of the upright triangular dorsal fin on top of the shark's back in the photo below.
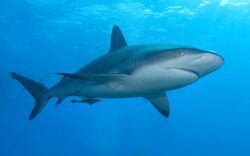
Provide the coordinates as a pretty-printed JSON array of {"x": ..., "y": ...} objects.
[{"x": 117, "y": 39}]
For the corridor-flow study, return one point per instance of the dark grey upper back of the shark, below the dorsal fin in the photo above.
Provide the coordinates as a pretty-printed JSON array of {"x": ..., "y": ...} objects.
[{"x": 122, "y": 60}]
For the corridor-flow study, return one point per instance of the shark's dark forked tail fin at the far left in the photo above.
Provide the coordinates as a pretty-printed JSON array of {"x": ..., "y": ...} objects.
[{"x": 37, "y": 90}]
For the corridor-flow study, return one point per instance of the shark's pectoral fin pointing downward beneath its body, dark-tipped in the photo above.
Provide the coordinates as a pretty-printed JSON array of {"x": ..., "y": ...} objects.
[{"x": 160, "y": 102}]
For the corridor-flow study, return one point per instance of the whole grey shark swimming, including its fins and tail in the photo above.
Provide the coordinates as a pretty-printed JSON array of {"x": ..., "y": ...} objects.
[{"x": 146, "y": 71}]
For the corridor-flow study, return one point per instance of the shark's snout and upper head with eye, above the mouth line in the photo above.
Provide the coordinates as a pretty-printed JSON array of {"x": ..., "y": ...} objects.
[{"x": 198, "y": 61}]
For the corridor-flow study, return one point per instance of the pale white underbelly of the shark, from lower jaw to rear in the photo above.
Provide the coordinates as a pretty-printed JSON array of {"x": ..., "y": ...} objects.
[{"x": 142, "y": 82}]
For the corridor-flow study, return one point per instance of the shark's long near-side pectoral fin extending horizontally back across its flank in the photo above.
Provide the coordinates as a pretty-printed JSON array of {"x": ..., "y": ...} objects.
[{"x": 94, "y": 77}]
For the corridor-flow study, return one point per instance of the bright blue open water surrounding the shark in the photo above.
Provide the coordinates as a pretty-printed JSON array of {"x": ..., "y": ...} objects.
[{"x": 41, "y": 37}]
